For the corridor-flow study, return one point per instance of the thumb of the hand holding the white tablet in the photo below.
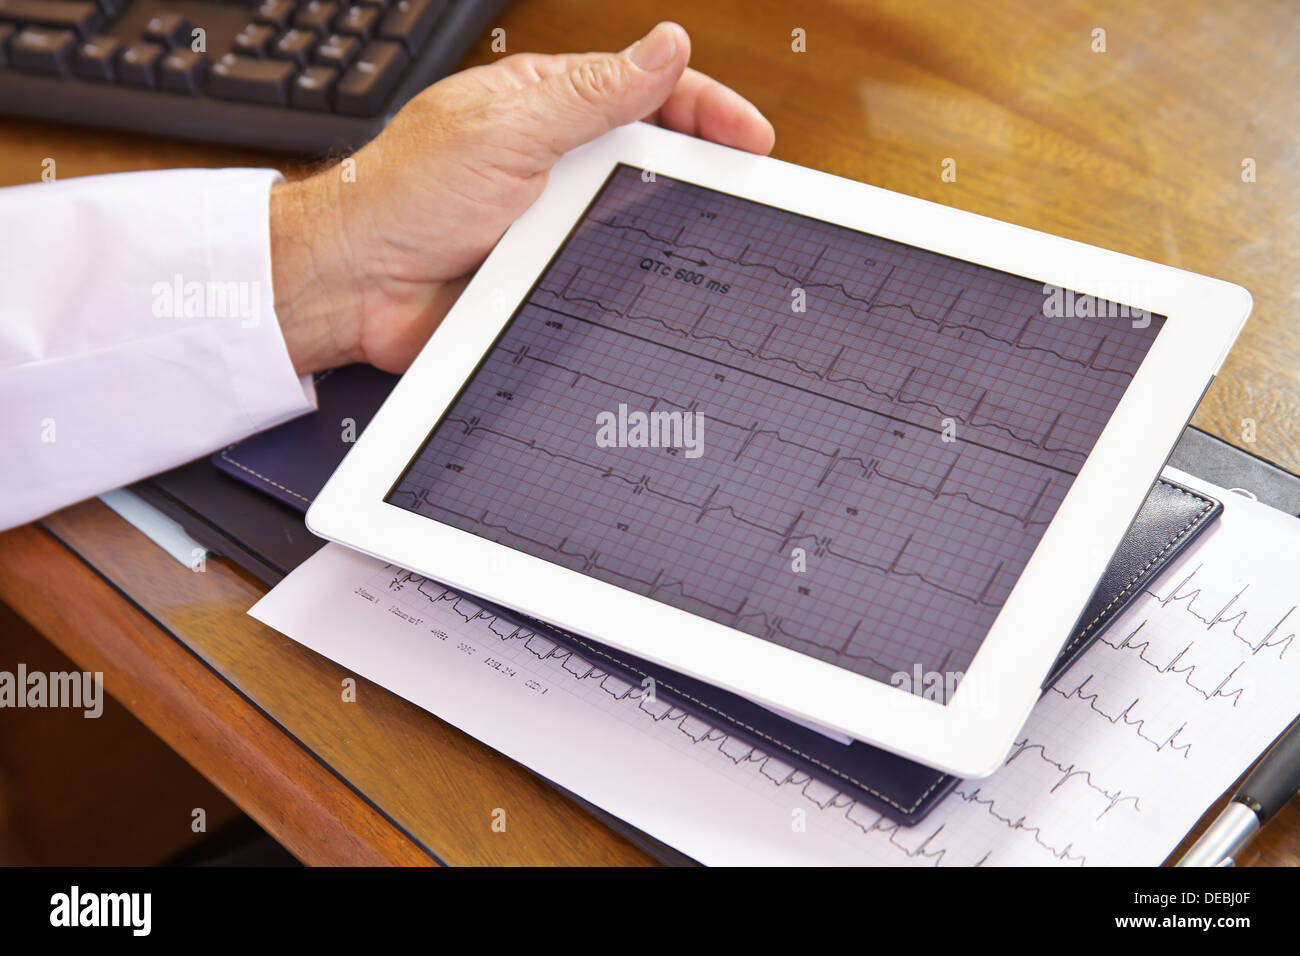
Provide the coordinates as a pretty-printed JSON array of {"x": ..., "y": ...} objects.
[{"x": 566, "y": 110}]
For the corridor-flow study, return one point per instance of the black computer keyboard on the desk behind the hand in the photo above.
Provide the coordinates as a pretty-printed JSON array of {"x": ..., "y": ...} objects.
[{"x": 300, "y": 76}]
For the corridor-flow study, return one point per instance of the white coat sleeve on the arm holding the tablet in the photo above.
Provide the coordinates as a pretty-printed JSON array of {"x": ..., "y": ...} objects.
[{"x": 137, "y": 330}]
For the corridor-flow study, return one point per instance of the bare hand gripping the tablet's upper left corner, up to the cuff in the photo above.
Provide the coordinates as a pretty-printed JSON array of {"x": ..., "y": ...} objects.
[{"x": 366, "y": 270}]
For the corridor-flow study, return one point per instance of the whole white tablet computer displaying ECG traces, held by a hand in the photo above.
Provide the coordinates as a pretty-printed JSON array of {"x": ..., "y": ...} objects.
[{"x": 855, "y": 456}]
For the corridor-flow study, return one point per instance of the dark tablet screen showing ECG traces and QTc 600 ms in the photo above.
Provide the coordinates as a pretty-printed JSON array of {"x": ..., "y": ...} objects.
[{"x": 827, "y": 440}]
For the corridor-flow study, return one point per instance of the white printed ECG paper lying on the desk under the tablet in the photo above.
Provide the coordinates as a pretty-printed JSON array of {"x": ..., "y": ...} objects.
[{"x": 1115, "y": 767}]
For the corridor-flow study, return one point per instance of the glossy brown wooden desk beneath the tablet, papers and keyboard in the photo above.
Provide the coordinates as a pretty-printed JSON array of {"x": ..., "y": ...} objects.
[{"x": 1139, "y": 149}]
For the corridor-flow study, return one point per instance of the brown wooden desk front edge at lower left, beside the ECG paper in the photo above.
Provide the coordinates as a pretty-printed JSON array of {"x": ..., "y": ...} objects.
[{"x": 378, "y": 756}]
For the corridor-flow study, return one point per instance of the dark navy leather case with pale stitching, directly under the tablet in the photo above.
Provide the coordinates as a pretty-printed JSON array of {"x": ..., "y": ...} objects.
[{"x": 289, "y": 465}]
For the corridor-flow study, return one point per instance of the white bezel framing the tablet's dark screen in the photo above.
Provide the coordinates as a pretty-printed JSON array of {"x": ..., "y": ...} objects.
[{"x": 968, "y": 737}]
